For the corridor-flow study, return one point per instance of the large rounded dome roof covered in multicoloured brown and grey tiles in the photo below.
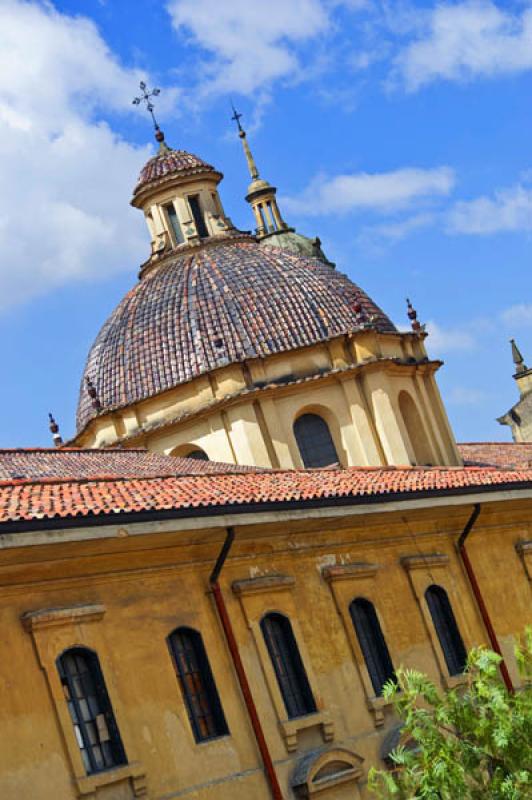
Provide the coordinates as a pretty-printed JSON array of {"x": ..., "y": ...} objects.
[{"x": 213, "y": 306}]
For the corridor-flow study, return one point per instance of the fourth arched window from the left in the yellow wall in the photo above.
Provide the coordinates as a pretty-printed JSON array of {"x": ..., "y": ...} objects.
[{"x": 372, "y": 643}]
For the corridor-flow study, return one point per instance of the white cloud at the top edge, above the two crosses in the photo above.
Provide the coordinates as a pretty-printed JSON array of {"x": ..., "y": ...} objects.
[{"x": 251, "y": 43}]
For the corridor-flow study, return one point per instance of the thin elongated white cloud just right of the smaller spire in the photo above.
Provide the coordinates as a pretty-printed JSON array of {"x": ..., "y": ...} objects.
[{"x": 384, "y": 191}]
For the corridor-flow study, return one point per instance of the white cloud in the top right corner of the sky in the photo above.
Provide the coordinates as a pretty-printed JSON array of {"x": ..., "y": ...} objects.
[{"x": 467, "y": 39}]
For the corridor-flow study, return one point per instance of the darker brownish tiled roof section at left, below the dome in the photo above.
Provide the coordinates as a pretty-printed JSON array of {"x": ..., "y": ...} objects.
[{"x": 39, "y": 463}]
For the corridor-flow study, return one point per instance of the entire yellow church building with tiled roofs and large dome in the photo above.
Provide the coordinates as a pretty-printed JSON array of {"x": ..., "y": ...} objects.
[{"x": 262, "y": 514}]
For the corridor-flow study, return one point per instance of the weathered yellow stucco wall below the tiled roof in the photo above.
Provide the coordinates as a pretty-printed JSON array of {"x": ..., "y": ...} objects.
[{"x": 126, "y": 592}]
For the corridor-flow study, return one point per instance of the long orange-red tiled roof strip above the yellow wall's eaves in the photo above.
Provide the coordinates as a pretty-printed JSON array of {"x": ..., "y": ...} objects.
[{"x": 55, "y": 499}]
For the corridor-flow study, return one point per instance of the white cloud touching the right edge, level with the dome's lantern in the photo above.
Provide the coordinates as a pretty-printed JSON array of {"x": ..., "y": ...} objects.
[{"x": 508, "y": 210}]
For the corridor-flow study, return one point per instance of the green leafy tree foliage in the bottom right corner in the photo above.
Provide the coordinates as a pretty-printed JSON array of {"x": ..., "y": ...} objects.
[{"x": 473, "y": 742}]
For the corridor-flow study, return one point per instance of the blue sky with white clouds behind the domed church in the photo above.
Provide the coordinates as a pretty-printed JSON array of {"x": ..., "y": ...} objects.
[{"x": 399, "y": 132}]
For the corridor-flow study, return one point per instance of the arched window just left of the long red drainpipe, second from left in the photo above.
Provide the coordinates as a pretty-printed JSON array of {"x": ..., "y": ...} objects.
[{"x": 197, "y": 684}]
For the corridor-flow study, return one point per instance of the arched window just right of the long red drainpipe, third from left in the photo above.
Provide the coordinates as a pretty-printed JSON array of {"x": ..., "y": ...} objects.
[{"x": 288, "y": 666}]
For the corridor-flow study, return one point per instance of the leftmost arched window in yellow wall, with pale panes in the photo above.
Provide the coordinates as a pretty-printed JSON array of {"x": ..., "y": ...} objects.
[{"x": 90, "y": 710}]
